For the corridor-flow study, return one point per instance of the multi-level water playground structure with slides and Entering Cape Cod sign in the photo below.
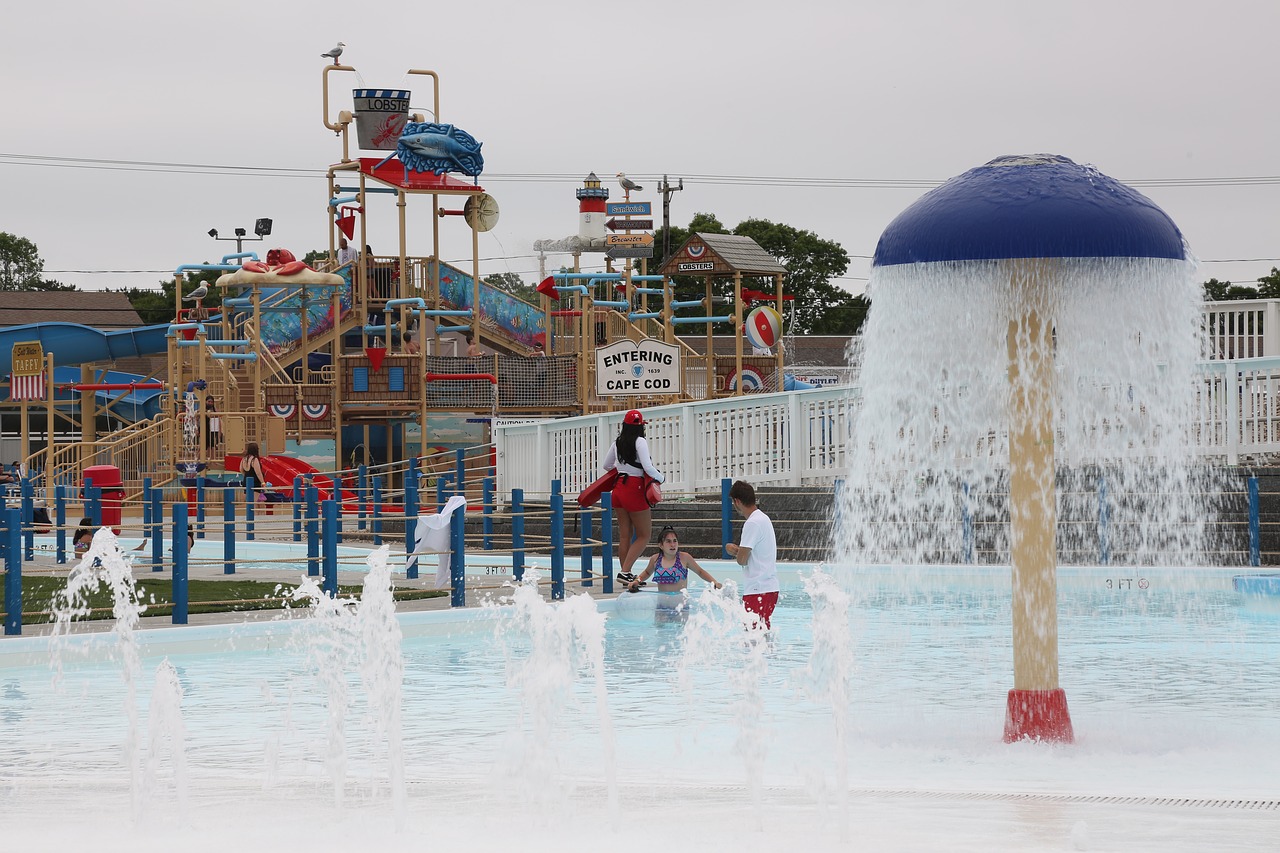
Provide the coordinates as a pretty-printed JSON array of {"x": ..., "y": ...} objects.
[{"x": 313, "y": 364}]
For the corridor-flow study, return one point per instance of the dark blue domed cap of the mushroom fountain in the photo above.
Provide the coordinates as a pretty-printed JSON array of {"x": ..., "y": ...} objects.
[{"x": 1037, "y": 206}]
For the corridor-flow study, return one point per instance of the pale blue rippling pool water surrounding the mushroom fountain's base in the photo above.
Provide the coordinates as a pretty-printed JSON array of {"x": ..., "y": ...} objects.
[{"x": 1173, "y": 688}]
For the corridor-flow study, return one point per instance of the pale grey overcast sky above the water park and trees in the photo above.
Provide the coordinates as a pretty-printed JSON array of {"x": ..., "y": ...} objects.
[{"x": 824, "y": 116}]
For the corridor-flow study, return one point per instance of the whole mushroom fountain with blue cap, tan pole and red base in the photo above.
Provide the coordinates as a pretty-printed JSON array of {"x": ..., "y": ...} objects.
[{"x": 1018, "y": 218}]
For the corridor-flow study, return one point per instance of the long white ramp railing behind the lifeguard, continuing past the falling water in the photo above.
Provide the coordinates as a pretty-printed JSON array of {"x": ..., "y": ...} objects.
[{"x": 801, "y": 437}]
